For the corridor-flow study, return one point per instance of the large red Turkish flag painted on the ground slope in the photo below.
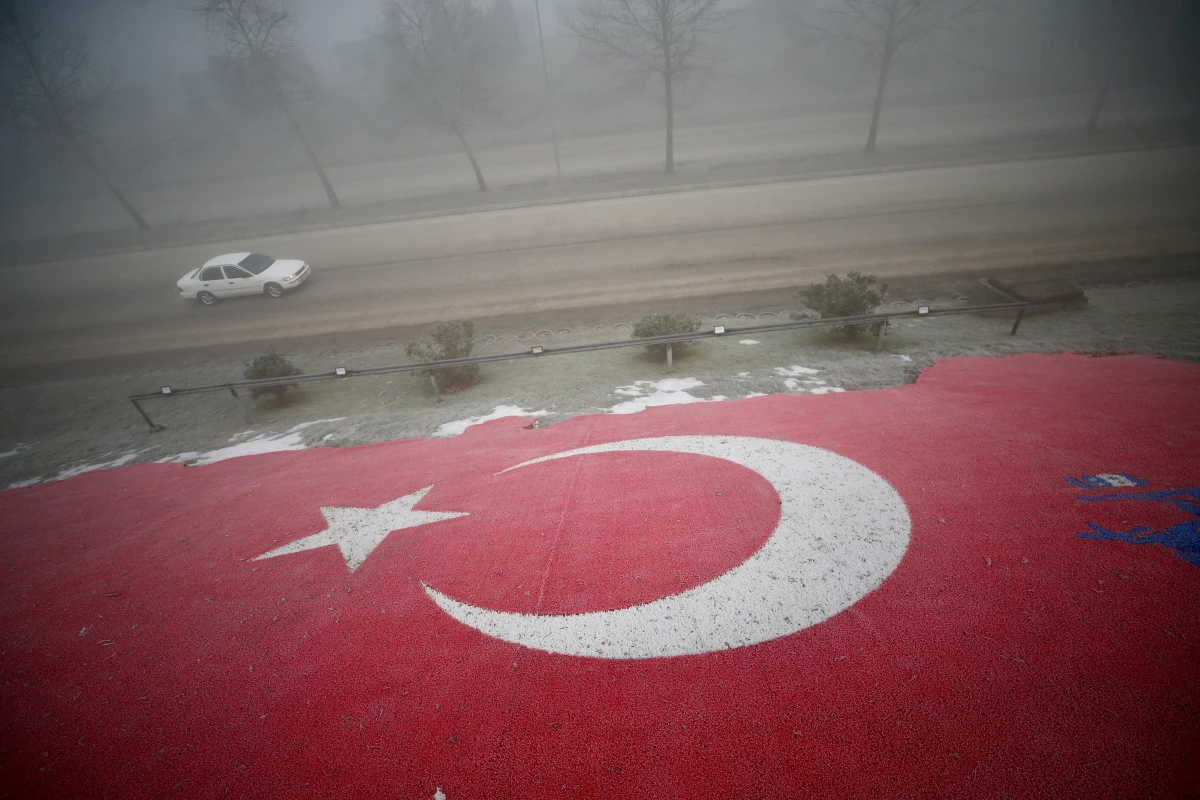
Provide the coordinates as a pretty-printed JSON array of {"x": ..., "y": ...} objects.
[{"x": 985, "y": 585}]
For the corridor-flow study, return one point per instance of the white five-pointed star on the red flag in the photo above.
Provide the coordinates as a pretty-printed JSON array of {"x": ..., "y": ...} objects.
[{"x": 358, "y": 532}]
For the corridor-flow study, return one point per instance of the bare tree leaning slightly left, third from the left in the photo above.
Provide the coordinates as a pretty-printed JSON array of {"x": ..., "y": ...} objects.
[{"x": 440, "y": 56}]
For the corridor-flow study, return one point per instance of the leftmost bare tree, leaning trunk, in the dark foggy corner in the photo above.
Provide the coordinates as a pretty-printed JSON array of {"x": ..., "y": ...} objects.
[{"x": 47, "y": 87}]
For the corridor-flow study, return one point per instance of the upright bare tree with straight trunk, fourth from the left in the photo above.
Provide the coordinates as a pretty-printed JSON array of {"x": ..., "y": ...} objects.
[{"x": 663, "y": 38}]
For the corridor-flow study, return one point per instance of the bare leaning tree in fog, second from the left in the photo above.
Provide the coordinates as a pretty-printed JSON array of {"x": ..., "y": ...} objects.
[{"x": 257, "y": 44}]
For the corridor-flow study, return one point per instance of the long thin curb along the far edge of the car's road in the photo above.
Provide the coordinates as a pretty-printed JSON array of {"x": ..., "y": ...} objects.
[{"x": 609, "y": 196}]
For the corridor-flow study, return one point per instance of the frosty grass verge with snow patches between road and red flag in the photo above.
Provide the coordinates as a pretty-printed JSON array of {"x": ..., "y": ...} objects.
[{"x": 59, "y": 429}]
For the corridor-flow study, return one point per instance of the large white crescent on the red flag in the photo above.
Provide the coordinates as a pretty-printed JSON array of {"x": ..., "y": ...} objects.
[{"x": 843, "y": 530}]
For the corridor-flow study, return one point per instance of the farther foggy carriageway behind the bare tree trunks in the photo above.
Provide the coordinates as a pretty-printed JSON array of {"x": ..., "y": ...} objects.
[{"x": 698, "y": 148}]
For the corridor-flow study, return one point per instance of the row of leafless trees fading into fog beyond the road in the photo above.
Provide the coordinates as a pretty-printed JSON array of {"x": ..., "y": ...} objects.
[{"x": 449, "y": 65}]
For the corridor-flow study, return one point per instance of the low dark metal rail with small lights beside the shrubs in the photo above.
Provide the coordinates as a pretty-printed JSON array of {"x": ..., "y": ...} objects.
[{"x": 878, "y": 322}]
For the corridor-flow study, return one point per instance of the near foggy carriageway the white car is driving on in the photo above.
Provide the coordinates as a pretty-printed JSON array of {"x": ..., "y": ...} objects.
[{"x": 591, "y": 254}]
